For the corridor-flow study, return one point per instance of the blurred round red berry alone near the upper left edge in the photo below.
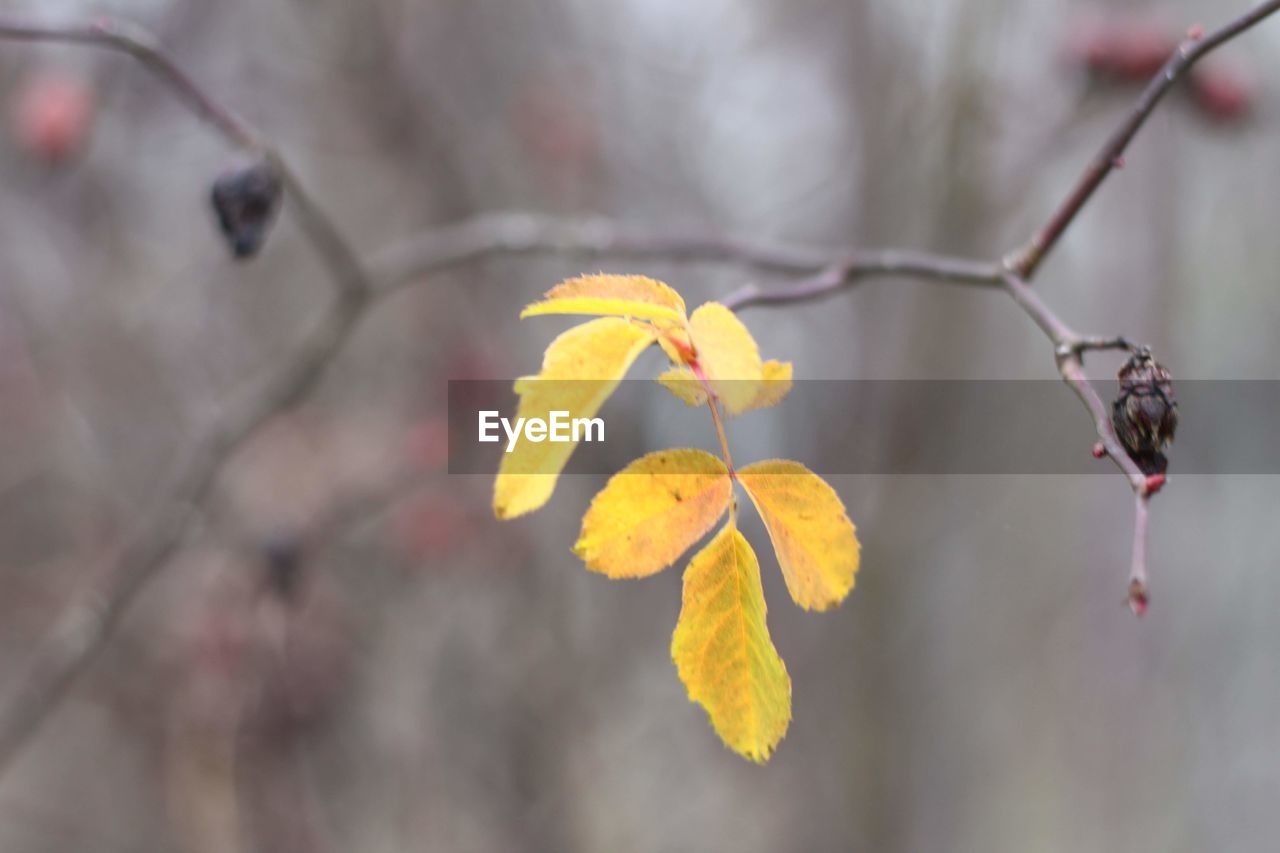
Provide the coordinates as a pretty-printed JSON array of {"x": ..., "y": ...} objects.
[{"x": 53, "y": 116}]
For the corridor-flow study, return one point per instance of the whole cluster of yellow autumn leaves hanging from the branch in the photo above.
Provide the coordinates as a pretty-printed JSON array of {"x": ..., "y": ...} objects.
[{"x": 660, "y": 507}]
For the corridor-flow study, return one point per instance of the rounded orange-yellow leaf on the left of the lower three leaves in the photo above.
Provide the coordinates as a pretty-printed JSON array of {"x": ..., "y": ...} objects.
[{"x": 652, "y": 512}]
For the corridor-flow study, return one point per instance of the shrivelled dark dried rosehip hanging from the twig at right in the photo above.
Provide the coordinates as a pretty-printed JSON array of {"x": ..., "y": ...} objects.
[{"x": 1145, "y": 416}]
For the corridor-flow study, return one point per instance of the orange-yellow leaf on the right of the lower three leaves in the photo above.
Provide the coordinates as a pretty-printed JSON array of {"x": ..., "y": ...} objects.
[{"x": 813, "y": 539}]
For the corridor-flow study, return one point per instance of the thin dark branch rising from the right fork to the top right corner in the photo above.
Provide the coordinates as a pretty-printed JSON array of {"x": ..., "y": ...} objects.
[{"x": 1196, "y": 47}]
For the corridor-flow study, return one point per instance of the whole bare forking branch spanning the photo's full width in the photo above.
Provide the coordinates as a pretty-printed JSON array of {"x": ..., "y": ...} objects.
[{"x": 84, "y": 628}]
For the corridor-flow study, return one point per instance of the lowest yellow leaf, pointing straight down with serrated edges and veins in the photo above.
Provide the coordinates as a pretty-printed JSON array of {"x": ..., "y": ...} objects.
[{"x": 724, "y": 653}]
